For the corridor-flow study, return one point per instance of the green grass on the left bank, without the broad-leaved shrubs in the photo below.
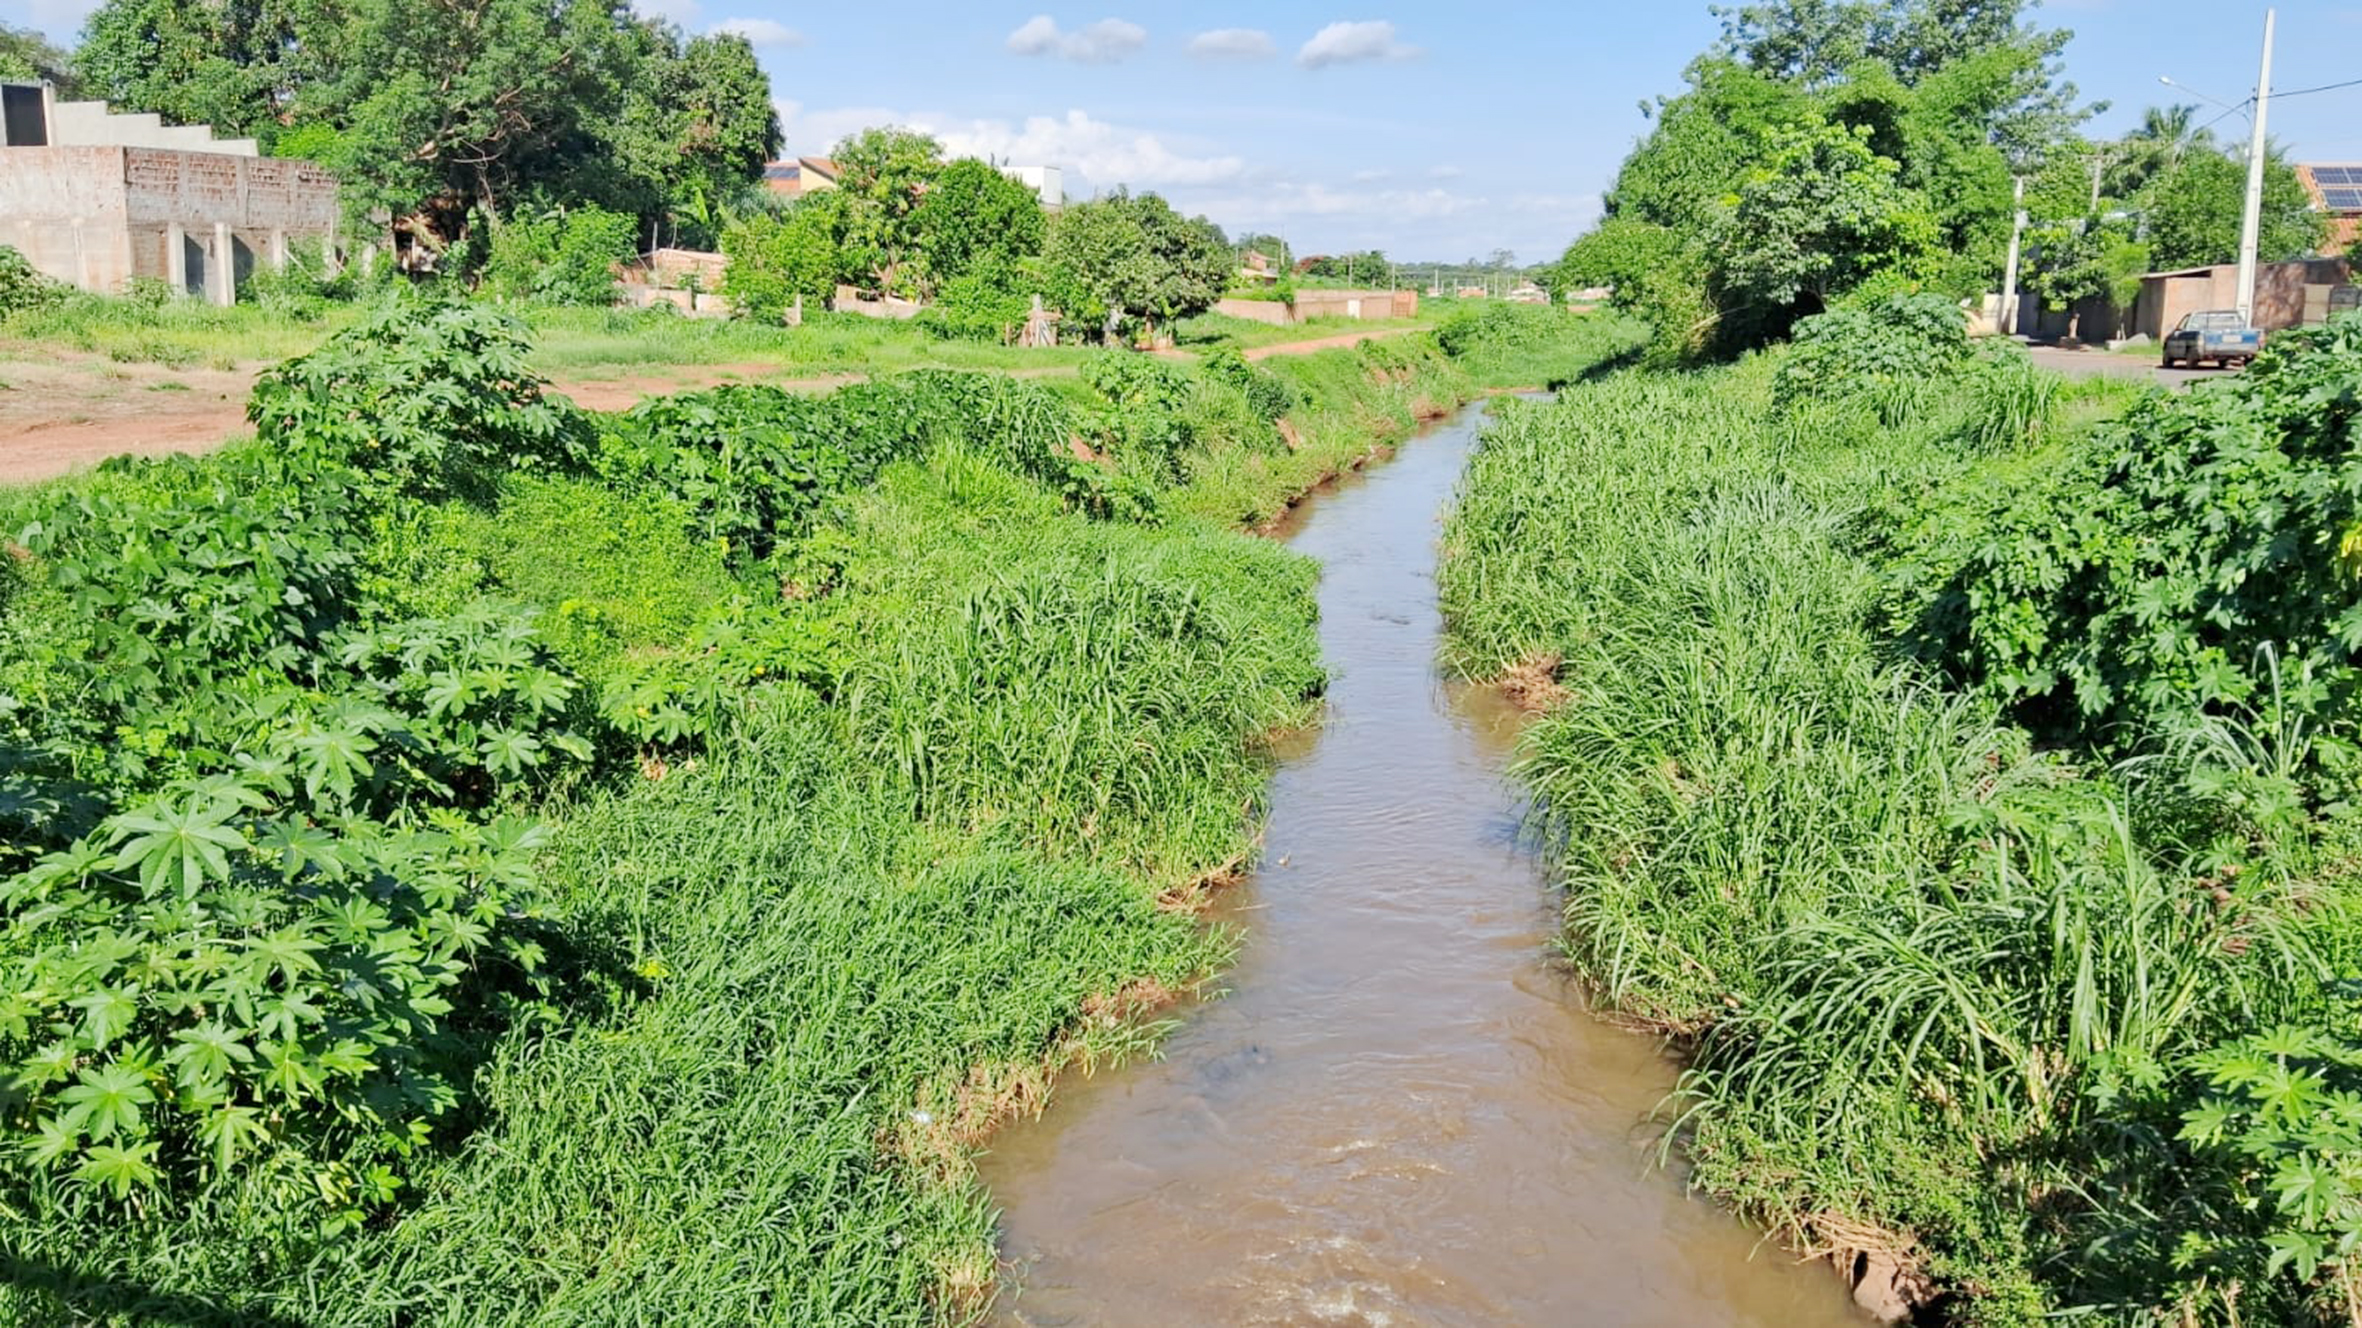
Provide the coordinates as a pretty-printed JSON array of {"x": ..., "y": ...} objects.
[{"x": 807, "y": 956}]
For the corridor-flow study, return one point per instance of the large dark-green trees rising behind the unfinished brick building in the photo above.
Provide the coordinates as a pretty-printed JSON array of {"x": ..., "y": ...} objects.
[{"x": 459, "y": 122}]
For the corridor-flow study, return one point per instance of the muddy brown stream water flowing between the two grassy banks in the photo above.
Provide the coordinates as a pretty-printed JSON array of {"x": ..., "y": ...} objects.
[{"x": 1402, "y": 1112}]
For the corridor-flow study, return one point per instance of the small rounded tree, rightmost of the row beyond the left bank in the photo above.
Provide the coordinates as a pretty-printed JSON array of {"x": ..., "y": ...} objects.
[{"x": 1133, "y": 256}]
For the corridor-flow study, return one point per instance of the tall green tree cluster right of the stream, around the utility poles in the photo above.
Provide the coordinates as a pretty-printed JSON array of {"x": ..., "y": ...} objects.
[{"x": 1827, "y": 155}]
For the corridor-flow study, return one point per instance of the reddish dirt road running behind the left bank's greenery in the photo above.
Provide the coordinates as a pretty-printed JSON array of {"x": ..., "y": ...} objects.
[{"x": 74, "y": 410}]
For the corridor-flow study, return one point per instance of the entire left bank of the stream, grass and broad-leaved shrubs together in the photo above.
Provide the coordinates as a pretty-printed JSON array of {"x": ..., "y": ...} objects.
[{"x": 471, "y": 861}]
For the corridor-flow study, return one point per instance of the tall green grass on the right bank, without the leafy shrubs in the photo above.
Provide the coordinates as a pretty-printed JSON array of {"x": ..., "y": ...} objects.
[{"x": 1907, "y": 951}]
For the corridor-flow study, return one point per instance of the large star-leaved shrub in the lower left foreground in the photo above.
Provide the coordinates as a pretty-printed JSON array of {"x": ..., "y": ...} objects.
[{"x": 211, "y": 994}]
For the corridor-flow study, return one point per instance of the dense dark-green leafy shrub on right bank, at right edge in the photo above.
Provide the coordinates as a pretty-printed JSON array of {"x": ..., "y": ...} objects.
[{"x": 2193, "y": 559}]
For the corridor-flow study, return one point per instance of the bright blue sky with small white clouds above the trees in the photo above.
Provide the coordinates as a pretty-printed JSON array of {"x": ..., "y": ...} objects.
[{"x": 1428, "y": 129}]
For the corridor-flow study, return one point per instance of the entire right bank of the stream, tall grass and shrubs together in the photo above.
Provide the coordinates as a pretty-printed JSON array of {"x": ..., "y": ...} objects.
[{"x": 1959, "y": 772}]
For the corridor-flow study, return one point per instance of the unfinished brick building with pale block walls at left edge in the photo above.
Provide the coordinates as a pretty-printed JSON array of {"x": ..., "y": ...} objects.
[{"x": 98, "y": 200}]
